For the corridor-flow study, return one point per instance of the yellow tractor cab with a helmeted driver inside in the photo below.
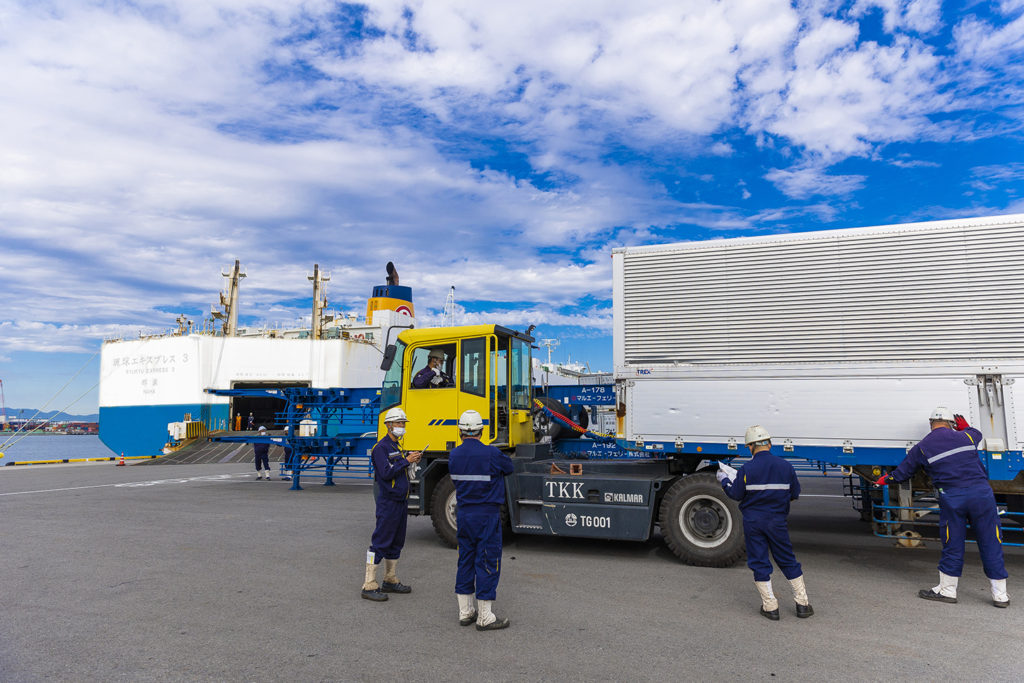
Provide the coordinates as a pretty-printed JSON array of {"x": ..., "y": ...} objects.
[{"x": 486, "y": 368}]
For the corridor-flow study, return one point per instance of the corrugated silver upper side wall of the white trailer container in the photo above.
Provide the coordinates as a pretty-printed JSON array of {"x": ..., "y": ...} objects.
[{"x": 917, "y": 292}]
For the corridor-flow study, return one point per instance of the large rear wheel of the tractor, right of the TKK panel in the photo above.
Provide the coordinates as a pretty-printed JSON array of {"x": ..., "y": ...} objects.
[{"x": 701, "y": 525}]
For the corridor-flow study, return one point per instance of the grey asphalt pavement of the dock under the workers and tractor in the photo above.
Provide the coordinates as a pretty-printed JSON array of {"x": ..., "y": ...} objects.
[{"x": 204, "y": 574}]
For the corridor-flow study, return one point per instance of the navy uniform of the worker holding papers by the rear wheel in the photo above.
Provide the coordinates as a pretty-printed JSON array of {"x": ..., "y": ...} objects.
[{"x": 764, "y": 488}]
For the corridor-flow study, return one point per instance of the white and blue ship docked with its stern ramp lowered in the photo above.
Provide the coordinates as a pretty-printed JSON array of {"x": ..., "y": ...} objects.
[{"x": 151, "y": 382}]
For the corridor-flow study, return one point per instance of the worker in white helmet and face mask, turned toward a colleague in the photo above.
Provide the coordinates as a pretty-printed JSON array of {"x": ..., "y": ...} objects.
[{"x": 391, "y": 492}]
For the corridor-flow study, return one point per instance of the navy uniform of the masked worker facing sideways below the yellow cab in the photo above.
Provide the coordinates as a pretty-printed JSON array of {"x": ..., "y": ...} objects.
[{"x": 391, "y": 492}]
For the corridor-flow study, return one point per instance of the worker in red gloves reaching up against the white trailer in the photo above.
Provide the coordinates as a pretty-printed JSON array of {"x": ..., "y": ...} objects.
[{"x": 950, "y": 455}]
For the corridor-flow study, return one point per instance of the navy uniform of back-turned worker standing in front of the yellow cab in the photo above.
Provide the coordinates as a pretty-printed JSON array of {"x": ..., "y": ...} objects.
[{"x": 479, "y": 474}]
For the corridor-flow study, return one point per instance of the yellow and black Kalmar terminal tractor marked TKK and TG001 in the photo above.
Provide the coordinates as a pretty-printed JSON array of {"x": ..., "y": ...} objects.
[{"x": 437, "y": 374}]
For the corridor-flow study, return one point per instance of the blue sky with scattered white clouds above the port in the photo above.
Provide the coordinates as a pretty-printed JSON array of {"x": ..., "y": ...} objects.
[{"x": 501, "y": 148}]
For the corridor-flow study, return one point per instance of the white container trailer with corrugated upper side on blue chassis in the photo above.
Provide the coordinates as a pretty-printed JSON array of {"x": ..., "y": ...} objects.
[{"x": 839, "y": 343}]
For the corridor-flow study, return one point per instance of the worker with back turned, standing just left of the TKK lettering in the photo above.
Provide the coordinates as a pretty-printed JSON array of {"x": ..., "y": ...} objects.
[{"x": 479, "y": 474}]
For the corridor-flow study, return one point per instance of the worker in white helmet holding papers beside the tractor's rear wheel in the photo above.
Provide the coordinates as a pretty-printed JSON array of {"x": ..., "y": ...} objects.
[{"x": 764, "y": 488}]
